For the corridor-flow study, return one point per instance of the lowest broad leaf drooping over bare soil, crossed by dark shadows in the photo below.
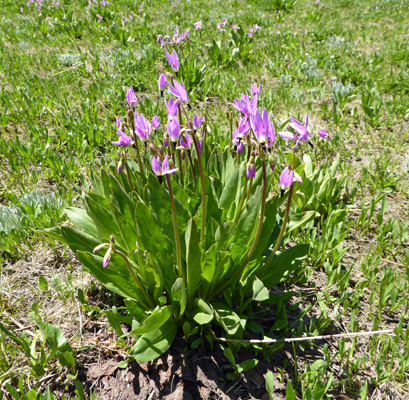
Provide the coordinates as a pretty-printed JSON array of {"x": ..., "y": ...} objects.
[{"x": 153, "y": 344}]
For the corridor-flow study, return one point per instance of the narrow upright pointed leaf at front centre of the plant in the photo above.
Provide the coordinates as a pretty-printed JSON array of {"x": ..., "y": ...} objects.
[{"x": 193, "y": 260}]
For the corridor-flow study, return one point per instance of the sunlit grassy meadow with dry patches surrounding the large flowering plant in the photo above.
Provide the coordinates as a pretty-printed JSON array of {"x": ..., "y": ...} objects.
[{"x": 63, "y": 78}]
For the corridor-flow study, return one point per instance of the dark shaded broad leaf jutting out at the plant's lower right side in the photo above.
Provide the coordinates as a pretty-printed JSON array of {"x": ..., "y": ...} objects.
[{"x": 282, "y": 263}]
